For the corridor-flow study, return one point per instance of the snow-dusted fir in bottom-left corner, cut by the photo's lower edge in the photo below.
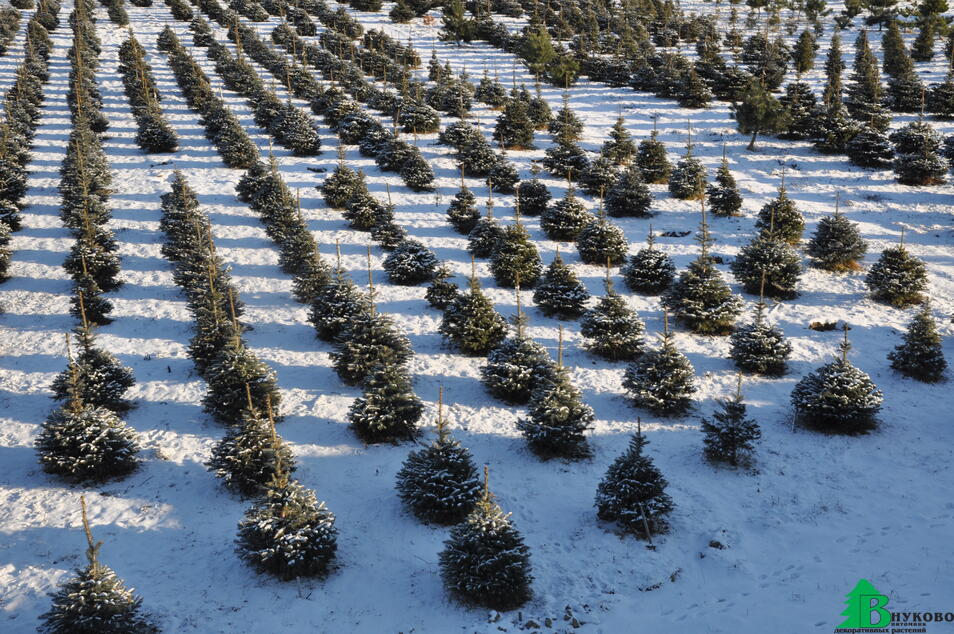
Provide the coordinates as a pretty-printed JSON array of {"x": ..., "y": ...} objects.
[{"x": 95, "y": 600}]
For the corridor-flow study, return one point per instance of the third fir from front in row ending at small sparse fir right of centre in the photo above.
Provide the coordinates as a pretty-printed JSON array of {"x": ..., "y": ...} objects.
[{"x": 612, "y": 329}]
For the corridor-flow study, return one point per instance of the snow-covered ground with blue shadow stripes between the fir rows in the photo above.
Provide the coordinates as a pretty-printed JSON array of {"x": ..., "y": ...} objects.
[{"x": 814, "y": 514}]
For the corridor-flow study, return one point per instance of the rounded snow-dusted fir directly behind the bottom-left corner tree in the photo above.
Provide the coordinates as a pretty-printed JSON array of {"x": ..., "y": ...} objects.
[{"x": 83, "y": 443}]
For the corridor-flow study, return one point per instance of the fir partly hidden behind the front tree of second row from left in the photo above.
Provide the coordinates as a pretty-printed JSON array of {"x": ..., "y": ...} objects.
[{"x": 248, "y": 457}]
